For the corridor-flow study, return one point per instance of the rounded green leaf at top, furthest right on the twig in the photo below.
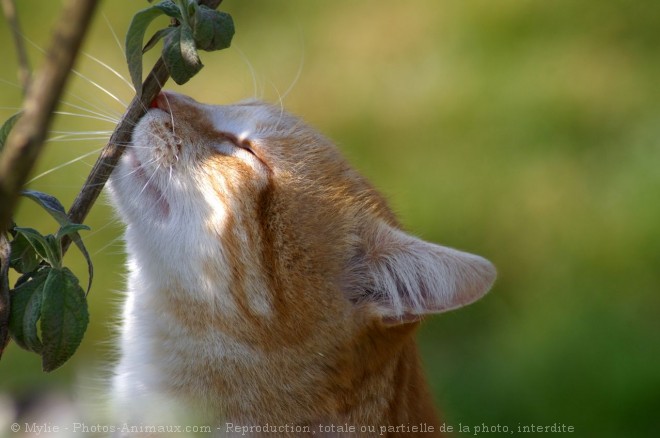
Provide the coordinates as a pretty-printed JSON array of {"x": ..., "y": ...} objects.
[{"x": 213, "y": 30}]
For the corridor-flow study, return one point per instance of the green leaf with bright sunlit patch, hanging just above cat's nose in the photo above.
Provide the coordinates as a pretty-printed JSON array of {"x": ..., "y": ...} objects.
[{"x": 180, "y": 55}]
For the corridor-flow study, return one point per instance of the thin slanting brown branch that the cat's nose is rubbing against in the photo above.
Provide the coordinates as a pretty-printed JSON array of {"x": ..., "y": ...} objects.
[{"x": 121, "y": 136}]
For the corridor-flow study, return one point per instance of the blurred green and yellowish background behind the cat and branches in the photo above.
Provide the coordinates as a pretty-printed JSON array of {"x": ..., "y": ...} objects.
[{"x": 524, "y": 131}]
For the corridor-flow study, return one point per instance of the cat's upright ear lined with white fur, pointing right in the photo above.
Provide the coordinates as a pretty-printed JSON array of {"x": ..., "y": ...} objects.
[{"x": 402, "y": 278}]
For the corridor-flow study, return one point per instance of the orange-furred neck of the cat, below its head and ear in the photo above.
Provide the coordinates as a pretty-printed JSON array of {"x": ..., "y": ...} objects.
[{"x": 377, "y": 379}]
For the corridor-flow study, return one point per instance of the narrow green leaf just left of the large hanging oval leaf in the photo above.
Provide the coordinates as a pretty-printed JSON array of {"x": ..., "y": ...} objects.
[{"x": 25, "y": 311}]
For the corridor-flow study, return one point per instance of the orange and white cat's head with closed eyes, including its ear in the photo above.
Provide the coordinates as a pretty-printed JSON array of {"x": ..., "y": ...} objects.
[{"x": 249, "y": 209}]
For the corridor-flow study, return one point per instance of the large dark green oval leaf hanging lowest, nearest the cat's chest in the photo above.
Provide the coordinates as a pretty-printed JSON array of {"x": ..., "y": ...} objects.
[{"x": 64, "y": 318}]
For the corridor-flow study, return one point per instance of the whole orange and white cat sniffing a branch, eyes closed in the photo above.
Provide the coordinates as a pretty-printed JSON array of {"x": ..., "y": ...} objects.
[{"x": 269, "y": 282}]
